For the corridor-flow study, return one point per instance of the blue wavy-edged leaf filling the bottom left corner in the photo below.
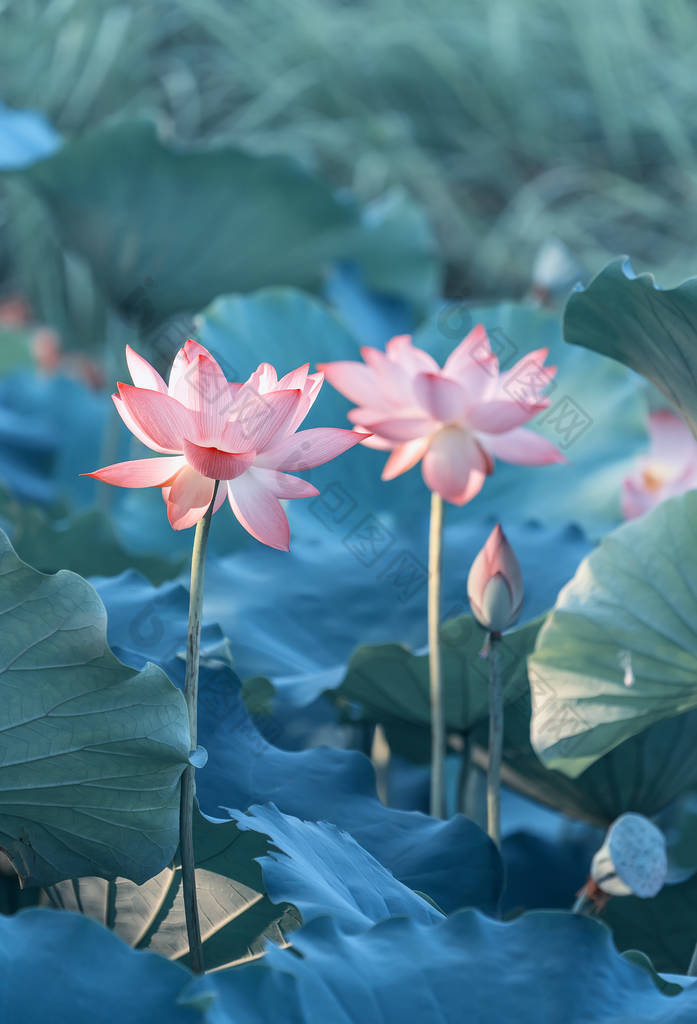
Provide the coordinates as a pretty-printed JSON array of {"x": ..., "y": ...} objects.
[{"x": 65, "y": 968}]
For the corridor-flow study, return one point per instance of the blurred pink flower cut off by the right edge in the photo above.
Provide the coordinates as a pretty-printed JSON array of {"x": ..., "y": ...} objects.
[{"x": 668, "y": 471}]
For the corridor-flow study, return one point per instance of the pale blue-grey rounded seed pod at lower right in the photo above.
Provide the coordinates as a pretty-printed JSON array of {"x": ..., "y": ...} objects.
[{"x": 633, "y": 861}]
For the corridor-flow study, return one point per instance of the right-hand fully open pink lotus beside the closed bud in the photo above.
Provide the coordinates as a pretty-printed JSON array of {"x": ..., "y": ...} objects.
[{"x": 456, "y": 420}]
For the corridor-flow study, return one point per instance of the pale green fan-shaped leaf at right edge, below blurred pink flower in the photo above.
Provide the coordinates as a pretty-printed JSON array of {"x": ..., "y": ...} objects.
[{"x": 619, "y": 653}]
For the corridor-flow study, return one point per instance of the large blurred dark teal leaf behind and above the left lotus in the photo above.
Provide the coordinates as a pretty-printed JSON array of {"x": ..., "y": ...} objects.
[{"x": 139, "y": 211}]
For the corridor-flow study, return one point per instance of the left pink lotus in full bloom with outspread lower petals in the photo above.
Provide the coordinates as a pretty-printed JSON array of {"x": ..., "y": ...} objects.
[{"x": 208, "y": 430}]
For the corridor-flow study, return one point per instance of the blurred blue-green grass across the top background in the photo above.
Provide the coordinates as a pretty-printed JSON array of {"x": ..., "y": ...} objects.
[{"x": 513, "y": 122}]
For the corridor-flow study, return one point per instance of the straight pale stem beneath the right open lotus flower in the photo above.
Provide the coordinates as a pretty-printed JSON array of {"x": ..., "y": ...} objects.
[{"x": 435, "y": 673}]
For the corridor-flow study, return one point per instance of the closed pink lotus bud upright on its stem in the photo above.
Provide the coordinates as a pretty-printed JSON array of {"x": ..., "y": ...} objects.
[{"x": 495, "y": 586}]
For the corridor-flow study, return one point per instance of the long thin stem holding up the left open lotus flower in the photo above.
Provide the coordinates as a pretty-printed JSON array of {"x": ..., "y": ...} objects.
[{"x": 189, "y": 779}]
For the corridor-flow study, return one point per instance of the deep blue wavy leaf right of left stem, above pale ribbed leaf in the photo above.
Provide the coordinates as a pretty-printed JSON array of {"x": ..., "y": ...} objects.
[{"x": 454, "y": 862}]
